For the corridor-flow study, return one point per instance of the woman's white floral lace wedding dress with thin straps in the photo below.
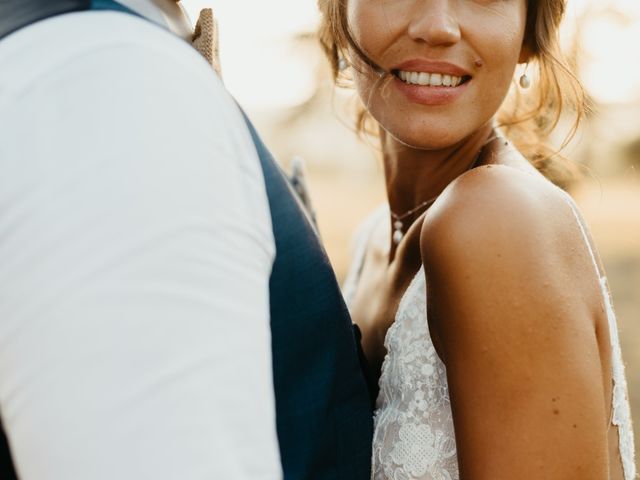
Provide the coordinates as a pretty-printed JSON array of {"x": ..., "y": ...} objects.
[{"x": 414, "y": 438}]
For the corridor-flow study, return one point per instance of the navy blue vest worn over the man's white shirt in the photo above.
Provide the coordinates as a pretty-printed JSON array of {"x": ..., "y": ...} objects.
[{"x": 323, "y": 406}]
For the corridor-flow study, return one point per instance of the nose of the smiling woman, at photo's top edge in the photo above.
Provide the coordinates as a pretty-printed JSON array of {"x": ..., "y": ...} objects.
[{"x": 434, "y": 22}]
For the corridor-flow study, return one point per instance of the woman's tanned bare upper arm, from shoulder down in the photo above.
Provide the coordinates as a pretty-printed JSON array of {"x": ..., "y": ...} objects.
[{"x": 516, "y": 332}]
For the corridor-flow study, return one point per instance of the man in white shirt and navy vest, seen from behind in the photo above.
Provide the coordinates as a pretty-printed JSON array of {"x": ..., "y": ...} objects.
[{"x": 159, "y": 280}]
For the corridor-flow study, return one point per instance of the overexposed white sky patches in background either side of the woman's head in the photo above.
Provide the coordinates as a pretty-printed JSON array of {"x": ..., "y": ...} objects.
[{"x": 263, "y": 70}]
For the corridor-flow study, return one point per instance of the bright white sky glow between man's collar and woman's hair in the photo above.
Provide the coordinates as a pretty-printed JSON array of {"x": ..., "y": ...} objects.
[{"x": 261, "y": 67}]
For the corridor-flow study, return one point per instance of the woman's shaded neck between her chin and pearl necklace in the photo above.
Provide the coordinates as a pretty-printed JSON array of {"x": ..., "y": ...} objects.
[{"x": 415, "y": 176}]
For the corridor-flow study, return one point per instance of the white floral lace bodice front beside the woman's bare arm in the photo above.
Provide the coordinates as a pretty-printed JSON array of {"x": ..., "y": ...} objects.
[{"x": 413, "y": 432}]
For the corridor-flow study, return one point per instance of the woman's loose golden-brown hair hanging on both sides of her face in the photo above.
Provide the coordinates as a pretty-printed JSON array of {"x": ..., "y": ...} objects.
[{"x": 527, "y": 119}]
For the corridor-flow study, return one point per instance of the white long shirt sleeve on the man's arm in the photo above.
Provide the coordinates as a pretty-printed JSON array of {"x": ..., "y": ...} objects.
[{"x": 135, "y": 254}]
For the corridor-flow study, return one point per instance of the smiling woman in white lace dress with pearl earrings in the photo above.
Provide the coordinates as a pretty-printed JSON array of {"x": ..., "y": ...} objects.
[{"x": 483, "y": 306}]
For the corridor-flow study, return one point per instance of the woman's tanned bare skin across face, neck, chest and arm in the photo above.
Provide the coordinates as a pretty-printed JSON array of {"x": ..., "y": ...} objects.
[{"x": 514, "y": 303}]
